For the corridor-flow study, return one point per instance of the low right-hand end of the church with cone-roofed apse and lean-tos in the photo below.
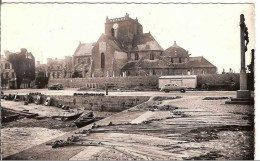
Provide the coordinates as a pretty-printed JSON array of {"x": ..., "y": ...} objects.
[{"x": 173, "y": 61}]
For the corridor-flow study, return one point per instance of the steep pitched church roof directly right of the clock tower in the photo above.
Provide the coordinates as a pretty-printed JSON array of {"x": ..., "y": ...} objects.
[{"x": 145, "y": 42}]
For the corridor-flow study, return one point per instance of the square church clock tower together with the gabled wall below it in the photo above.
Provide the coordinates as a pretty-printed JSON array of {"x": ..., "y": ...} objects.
[{"x": 110, "y": 53}]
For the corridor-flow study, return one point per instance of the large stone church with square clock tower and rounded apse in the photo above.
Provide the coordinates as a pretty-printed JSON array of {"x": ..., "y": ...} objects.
[{"x": 124, "y": 50}]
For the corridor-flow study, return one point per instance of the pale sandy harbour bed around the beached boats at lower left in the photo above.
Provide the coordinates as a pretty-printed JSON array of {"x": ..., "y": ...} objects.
[{"x": 24, "y": 133}]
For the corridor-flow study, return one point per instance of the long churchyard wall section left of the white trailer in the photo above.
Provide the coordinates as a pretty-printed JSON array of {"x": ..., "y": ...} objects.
[{"x": 150, "y": 82}]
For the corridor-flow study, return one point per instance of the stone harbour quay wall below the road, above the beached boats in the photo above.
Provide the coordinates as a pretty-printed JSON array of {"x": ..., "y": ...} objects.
[{"x": 96, "y": 103}]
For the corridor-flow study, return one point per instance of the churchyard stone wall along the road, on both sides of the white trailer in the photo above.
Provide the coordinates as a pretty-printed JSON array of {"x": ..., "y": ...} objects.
[{"x": 138, "y": 82}]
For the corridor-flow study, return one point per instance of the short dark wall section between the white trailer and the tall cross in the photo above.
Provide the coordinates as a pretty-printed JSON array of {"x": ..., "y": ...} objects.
[{"x": 217, "y": 78}]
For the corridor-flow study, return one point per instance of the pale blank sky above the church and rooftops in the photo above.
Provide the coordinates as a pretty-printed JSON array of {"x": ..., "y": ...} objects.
[{"x": 55, "y": 30}]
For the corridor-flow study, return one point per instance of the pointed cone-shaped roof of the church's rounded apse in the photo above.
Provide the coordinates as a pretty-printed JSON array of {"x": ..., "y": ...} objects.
[{"x": 175, "y": 51}]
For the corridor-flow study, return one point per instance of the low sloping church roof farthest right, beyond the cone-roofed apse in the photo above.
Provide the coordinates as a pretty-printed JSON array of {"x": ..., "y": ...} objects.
[{"x": 199, "y": 62}]
